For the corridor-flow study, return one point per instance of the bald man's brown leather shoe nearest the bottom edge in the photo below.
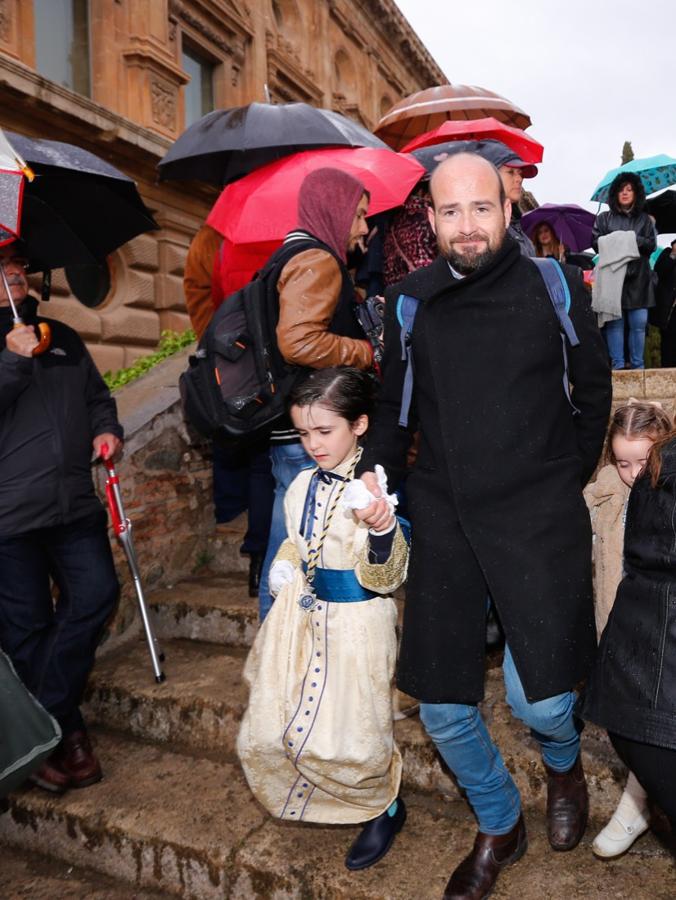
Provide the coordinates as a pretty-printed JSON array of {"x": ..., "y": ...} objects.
[{"x": 477, "y": 873}]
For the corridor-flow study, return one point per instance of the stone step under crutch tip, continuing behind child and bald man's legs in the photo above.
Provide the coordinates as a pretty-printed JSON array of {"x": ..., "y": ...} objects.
[{"x": 199, "y": 706}]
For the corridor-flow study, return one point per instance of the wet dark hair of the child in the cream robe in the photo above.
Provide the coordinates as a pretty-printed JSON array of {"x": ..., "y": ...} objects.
[{"x": 348, "y": 392}]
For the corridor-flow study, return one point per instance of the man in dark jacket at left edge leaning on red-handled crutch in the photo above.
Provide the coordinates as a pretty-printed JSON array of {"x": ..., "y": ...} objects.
[{"x": 54, "y": 411}]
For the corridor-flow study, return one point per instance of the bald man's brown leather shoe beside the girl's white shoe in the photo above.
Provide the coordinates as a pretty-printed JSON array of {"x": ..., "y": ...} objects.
[{"x": 567, "y": 806}]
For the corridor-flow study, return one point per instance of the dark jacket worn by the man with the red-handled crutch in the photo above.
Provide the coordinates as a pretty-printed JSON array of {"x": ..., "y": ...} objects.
[{"x": 51, "y": 408}]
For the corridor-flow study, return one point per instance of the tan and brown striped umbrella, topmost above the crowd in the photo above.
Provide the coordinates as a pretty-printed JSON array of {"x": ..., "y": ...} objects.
[{"x": 426, "y": 110}]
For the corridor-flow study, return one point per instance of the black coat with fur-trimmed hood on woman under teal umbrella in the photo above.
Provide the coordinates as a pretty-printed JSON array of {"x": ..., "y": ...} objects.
[{"x": 637, "y": 291}]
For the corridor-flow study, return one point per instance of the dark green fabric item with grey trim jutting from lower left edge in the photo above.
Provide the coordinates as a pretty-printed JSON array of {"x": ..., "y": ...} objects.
[{"x": 28, "y": 733}]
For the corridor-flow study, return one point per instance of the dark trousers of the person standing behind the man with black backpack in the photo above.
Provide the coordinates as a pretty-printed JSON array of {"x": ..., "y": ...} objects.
[{"x": 243, "y": 481}]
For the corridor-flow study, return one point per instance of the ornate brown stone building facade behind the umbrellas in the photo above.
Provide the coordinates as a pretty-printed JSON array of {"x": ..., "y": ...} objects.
[{"x": 122, "y": 78}]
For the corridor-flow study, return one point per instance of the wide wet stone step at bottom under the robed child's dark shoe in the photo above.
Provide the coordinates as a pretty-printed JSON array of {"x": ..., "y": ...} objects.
[{"x": 167, "y": 821}]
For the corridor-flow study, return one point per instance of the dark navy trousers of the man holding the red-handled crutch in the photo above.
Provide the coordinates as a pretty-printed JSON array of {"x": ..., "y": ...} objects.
[{"x": 52, "y": 646}]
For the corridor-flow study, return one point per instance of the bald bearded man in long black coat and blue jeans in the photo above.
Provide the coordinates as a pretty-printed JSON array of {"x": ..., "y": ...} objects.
[{"x": 495, "y": 500}]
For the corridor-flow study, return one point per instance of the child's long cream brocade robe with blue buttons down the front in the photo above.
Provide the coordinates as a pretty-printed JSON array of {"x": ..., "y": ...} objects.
[{"x": 316, "y": 742}]
